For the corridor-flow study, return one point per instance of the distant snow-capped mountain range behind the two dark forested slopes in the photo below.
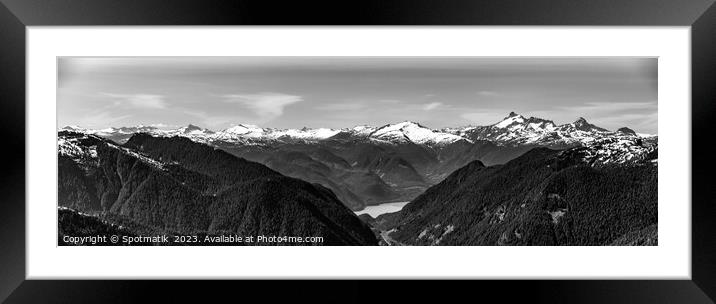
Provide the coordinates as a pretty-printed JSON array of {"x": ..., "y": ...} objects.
[{"x": 366, "y": 165}]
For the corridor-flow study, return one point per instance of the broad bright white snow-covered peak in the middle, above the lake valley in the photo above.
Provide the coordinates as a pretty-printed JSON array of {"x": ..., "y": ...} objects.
[{"x": 408, "y": 131}]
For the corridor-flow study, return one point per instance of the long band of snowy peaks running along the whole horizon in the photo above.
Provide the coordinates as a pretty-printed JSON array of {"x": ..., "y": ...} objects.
[{"x": 513, "y": 130}]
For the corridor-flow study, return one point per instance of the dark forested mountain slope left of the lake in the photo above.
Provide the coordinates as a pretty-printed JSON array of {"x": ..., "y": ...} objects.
[{"x": 178, "y": 186}]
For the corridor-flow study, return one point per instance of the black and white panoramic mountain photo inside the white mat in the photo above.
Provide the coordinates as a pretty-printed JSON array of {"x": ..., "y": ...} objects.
[{"x": 358, "y": 151}]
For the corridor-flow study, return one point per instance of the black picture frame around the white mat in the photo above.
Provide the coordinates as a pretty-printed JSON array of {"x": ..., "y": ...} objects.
[{"x": 16, "y": 15}]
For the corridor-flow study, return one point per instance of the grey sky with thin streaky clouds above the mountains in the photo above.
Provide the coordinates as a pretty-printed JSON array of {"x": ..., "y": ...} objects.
[{"x": 338, "y": 92}]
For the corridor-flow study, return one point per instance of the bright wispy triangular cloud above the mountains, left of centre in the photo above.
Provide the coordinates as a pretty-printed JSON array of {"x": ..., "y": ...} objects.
[{"x": 266, "y": 105}]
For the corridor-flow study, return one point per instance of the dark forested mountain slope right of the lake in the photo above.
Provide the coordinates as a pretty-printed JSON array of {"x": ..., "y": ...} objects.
[{"x": 544, "y": 197}]
